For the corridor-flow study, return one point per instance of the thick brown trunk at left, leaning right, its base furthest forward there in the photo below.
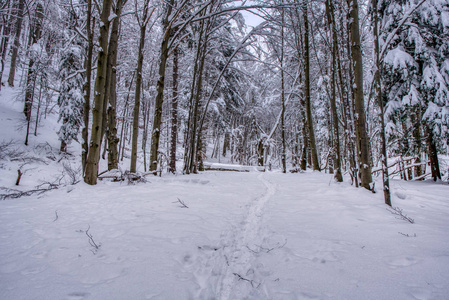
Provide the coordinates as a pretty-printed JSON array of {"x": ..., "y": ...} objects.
[{"x": 93, "y": 156}]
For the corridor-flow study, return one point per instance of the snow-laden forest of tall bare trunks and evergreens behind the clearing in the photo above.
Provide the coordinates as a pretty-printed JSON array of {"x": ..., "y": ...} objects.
[{"x": 161, "y": 86}]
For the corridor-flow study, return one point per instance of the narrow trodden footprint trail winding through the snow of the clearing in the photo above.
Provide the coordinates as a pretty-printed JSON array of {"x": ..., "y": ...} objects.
[{"x": 227, "y": 272}]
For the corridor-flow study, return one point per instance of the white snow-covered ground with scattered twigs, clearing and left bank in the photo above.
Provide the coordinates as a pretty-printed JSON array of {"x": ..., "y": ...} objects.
[{"x": 215, "y": 235}]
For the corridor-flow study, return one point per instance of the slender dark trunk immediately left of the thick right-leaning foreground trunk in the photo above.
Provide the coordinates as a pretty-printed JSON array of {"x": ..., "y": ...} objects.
[{"x": 87, "y": 86}]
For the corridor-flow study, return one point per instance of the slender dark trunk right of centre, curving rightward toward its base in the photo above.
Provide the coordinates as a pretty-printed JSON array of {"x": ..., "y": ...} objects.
[{"x": 315, "y": 163}]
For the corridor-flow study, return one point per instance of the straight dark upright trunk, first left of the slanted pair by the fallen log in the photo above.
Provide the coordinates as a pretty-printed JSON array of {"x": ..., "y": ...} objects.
[{"x": 174, "y": 113}]
